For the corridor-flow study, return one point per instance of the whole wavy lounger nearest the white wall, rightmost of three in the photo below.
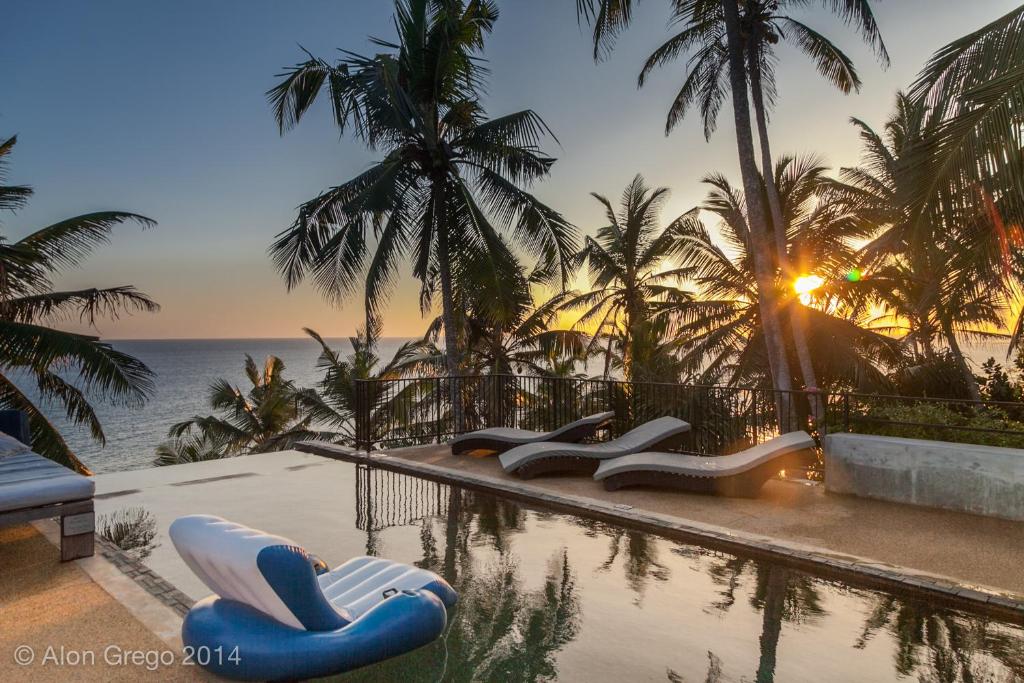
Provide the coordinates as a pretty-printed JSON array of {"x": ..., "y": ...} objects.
[{"x": 741, "y": 475}]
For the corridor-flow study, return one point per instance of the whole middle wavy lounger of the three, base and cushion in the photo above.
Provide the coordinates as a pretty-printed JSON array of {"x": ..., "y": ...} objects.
[{"x": 533, "y": 459}]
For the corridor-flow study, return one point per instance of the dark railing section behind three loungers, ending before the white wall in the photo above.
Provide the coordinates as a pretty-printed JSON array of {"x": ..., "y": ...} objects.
[{"x": 417, "y": 411}]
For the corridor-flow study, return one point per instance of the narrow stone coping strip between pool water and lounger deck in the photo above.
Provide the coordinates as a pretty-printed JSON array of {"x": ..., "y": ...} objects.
[{"x": 820, "y": 562}]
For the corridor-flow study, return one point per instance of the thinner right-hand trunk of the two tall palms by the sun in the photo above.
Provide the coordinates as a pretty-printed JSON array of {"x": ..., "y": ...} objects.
[{"x": 797, "y": 322}]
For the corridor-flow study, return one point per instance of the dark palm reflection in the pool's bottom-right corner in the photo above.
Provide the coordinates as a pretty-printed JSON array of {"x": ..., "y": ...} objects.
[{"x": 936, "y": 645}]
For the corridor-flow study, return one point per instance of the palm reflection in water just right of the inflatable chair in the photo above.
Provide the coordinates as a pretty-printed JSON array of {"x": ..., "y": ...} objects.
[{"x": 499, "y": 631}]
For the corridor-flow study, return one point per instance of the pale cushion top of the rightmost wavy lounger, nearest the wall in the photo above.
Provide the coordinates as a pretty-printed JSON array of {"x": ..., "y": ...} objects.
[{"x": 698, "y": 466}]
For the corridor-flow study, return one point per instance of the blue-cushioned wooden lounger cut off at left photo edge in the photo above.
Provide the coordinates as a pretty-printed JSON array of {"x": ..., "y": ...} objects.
[{"x": 35, "y": 488}]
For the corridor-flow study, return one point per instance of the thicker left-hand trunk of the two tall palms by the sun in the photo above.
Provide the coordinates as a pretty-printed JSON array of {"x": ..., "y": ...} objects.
[{"x": 761, "y": 251}]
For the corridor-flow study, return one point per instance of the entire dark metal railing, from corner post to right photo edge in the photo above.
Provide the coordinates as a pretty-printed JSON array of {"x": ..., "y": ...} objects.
[{"x": 418, "y": 411}]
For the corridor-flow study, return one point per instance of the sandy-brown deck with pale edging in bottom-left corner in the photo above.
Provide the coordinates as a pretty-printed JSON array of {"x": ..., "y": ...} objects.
[{"x": 81, "y": 620}]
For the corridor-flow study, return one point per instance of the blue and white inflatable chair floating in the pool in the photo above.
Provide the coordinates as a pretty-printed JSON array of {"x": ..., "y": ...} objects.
[{"x": 280, "y": 614}]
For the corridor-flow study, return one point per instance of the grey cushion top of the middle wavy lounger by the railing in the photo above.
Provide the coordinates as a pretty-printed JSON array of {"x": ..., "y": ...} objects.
[{"x": 638, "y": 439}]
